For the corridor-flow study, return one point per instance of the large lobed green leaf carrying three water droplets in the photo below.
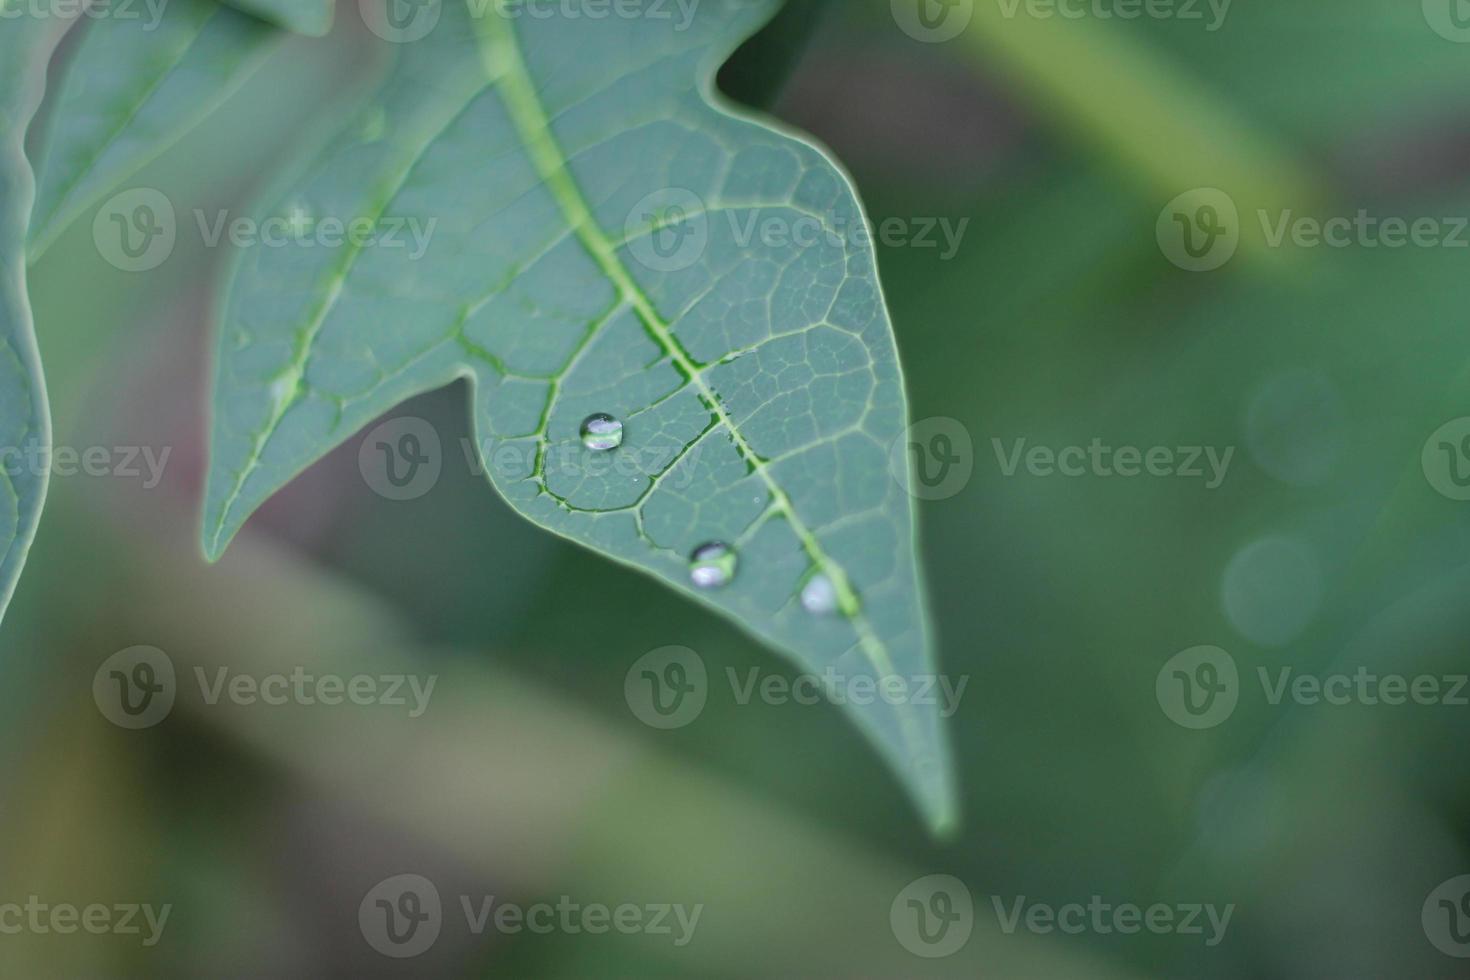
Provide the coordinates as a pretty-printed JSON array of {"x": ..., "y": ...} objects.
[{"x": 758, "y": 381}]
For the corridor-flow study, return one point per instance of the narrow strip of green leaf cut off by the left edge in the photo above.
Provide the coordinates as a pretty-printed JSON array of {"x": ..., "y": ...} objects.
[{"x": 26, "y": 427}]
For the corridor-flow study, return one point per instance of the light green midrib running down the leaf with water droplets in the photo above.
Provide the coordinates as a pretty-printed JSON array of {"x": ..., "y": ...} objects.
[{"x": 508, "y": 73}]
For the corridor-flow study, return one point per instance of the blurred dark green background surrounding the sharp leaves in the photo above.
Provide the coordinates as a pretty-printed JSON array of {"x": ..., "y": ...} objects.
[{"x": 1059, "y": 321}]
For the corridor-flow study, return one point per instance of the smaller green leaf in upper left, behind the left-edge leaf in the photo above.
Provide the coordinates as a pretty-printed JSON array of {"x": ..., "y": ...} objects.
[{"x": 133, "y": 89}]
